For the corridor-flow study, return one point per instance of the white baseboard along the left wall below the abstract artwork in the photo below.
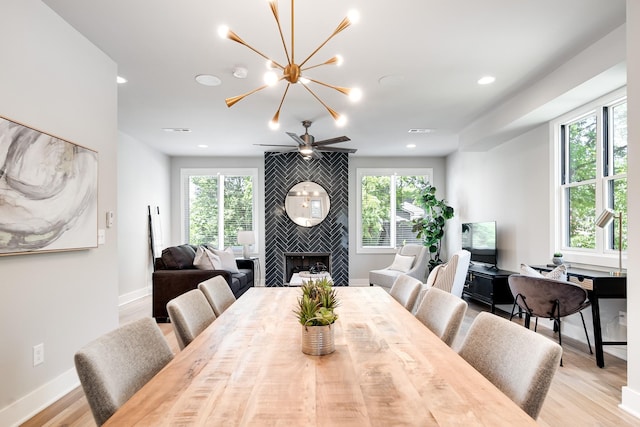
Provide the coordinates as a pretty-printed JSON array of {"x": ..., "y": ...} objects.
[{"x": 34, "y": 402}]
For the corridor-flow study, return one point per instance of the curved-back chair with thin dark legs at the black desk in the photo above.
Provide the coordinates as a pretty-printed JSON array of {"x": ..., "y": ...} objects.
[{"x": 550, "y": 299}]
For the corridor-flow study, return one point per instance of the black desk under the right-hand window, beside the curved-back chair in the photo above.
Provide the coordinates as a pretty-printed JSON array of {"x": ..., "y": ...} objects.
[{"x": 599, "y": 285}]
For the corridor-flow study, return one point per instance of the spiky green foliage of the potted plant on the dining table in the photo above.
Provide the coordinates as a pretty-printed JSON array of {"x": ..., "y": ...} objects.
[{"x": 317, "y": 303}]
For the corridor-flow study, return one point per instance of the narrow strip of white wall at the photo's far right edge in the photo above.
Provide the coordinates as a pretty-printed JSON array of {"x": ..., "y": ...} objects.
[{"x": 631, "y": 393}]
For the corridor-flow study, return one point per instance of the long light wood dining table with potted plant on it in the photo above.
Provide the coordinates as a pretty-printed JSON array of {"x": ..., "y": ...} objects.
[{"x": 388, "y": 369}]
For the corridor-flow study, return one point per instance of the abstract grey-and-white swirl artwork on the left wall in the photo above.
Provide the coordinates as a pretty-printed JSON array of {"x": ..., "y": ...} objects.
[{"x": 48, "y": 192}]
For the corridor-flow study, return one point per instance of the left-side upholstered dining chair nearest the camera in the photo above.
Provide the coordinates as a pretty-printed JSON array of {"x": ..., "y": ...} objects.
[{"x": 116, "y": 365}]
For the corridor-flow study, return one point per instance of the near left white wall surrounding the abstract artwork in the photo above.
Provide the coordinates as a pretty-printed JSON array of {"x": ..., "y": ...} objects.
[{"x": 54, "y": 80}]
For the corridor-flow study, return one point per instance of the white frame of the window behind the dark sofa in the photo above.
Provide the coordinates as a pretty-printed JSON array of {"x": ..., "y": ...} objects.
[{"x": 185, "y": 173}]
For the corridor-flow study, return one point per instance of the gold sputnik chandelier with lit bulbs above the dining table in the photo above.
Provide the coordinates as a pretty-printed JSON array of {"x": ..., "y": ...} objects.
[{"x": 292, "y": 72}]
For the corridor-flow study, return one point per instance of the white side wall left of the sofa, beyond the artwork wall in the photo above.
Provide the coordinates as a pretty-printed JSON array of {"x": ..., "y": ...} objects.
[{"x": 143, "y": 180}]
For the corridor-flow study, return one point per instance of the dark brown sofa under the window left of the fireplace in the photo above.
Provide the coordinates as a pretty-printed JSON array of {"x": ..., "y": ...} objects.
[{"x": 175, "y": 274}]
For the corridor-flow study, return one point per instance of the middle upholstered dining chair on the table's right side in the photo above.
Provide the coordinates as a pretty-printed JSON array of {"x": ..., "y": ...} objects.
[{"x": 443, "y": 313}]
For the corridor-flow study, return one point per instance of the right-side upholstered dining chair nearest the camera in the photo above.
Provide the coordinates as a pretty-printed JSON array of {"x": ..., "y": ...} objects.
[{"x": 518, "y": 361}]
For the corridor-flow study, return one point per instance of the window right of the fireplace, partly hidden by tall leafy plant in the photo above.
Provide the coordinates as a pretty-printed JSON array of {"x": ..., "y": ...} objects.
[{"x": 387, "y": 202}]
